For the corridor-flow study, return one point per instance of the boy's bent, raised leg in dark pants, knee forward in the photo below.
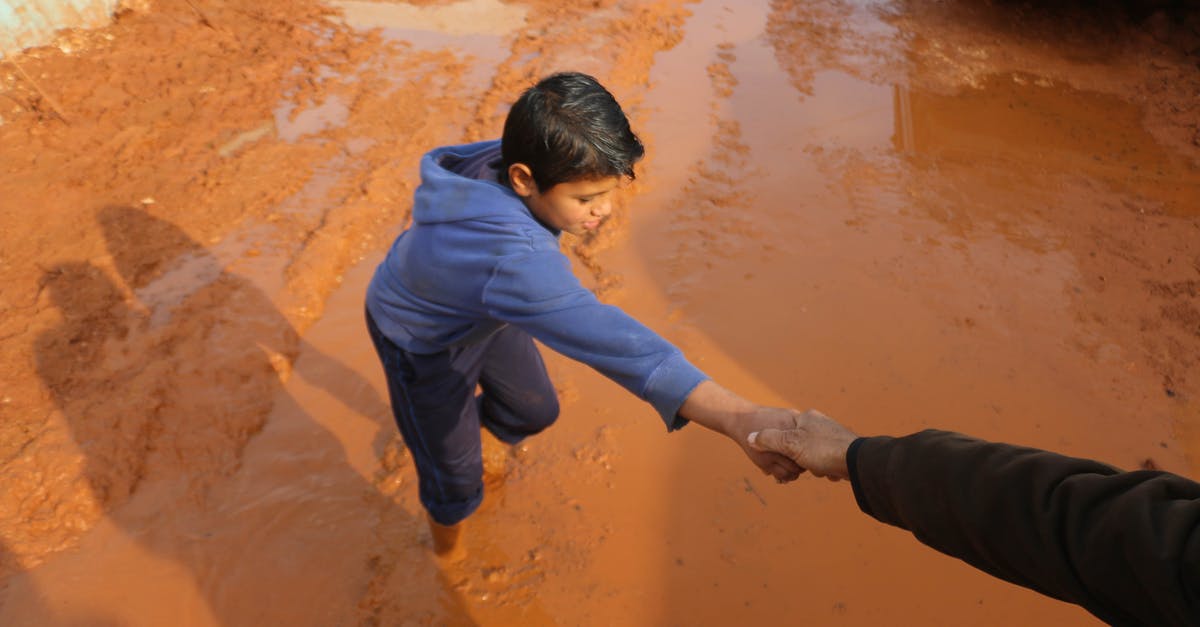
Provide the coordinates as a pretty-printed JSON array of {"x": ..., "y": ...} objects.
[{"x": 519, "y": 399}]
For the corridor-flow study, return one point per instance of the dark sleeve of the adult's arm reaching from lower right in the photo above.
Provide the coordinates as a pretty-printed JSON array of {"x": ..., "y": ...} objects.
[{"x": 1125, "y": 546}]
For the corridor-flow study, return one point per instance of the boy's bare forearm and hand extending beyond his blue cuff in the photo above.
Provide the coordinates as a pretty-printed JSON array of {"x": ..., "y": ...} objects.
[{"x": 725, "y": 413}]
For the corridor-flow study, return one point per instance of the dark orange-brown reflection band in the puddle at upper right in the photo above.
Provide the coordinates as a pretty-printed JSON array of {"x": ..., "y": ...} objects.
[{"x": 1029, "y": 123}]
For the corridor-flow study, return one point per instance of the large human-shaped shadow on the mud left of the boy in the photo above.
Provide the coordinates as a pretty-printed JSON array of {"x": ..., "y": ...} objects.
[{"x": 171, "y": 375}]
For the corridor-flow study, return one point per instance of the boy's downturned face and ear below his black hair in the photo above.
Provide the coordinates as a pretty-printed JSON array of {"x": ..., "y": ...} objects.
[{"x": 575, "y": 207}]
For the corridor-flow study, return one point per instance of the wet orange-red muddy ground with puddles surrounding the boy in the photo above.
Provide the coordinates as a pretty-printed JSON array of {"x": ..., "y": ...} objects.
[{"x": 980, "y": 217}]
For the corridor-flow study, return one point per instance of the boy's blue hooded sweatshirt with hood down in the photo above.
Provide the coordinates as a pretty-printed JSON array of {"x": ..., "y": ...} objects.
[{"x": 477, "y": 260}]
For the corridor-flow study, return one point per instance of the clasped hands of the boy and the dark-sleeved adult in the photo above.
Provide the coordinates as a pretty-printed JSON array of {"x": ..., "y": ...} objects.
[{"x": 785, "y": 444}]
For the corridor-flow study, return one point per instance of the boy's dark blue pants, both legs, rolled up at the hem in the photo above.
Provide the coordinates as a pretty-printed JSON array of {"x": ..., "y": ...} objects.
[{"x": 440, "y": 415}]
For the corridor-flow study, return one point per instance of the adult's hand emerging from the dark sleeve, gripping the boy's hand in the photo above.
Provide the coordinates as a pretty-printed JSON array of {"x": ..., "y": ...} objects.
[{"x": 813, "y": 440}]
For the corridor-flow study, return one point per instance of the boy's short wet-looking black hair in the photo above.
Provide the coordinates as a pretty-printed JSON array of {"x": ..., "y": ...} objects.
[{"x": 569, "y": 128}]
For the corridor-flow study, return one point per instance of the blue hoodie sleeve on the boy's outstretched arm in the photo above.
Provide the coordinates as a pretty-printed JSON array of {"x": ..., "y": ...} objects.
[{"x": 539, "y": 294}]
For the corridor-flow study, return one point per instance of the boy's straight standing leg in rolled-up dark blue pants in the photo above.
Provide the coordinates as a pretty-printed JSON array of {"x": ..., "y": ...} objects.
[{"x": 434, "y": 404}]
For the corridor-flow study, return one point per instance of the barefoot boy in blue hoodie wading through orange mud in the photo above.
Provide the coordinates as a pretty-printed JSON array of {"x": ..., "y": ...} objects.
[{"x": 479, "y": 274}]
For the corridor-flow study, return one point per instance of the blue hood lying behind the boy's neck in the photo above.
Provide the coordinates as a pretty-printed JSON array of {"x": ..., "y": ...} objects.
[{"x": 452, "y": 189}]
